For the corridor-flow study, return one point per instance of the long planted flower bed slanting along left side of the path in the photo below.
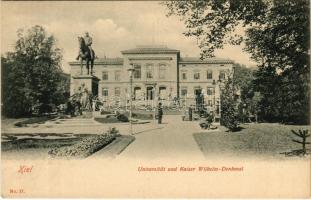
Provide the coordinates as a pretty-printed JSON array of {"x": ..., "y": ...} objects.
[{"x": 86, "y": 147}]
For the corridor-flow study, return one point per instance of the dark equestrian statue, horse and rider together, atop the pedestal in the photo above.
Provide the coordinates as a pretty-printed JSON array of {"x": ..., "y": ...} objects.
[{"x": 86, "y": 52}]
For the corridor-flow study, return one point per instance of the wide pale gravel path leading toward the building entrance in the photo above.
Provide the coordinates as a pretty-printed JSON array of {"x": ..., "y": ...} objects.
[{"x": 171, "y": 140}]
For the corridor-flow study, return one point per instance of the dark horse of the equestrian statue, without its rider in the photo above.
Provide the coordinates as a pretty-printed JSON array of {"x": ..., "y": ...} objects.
[{"x": 85, "y": 54}]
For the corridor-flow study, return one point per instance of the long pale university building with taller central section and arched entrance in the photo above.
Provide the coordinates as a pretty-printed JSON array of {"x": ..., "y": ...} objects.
[{"x": 160, "y": 74}]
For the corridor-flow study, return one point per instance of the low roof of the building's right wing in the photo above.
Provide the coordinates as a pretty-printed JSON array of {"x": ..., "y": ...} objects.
[{"x": 196, "y": 60}]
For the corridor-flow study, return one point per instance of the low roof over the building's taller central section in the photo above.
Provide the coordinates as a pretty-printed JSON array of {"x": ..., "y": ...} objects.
[{"x": 150, "y": 50}]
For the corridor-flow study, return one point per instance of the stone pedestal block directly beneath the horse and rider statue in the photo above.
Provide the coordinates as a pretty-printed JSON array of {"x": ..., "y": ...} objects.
[{"x": 90, "y": 83}]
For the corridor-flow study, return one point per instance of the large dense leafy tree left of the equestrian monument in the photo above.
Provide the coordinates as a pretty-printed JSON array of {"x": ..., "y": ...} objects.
[{"x": 31, "y": 73}]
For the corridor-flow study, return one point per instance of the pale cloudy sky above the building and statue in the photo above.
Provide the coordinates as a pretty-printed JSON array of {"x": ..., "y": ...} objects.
[{"x": 114, "y": 26}]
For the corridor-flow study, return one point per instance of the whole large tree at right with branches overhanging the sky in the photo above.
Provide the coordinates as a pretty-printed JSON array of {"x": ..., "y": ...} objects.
[{"x": 276, "y": 36}]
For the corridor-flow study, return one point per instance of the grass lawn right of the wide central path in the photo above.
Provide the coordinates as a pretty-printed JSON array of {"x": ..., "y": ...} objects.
[{"x": 254, "y": 140}]
